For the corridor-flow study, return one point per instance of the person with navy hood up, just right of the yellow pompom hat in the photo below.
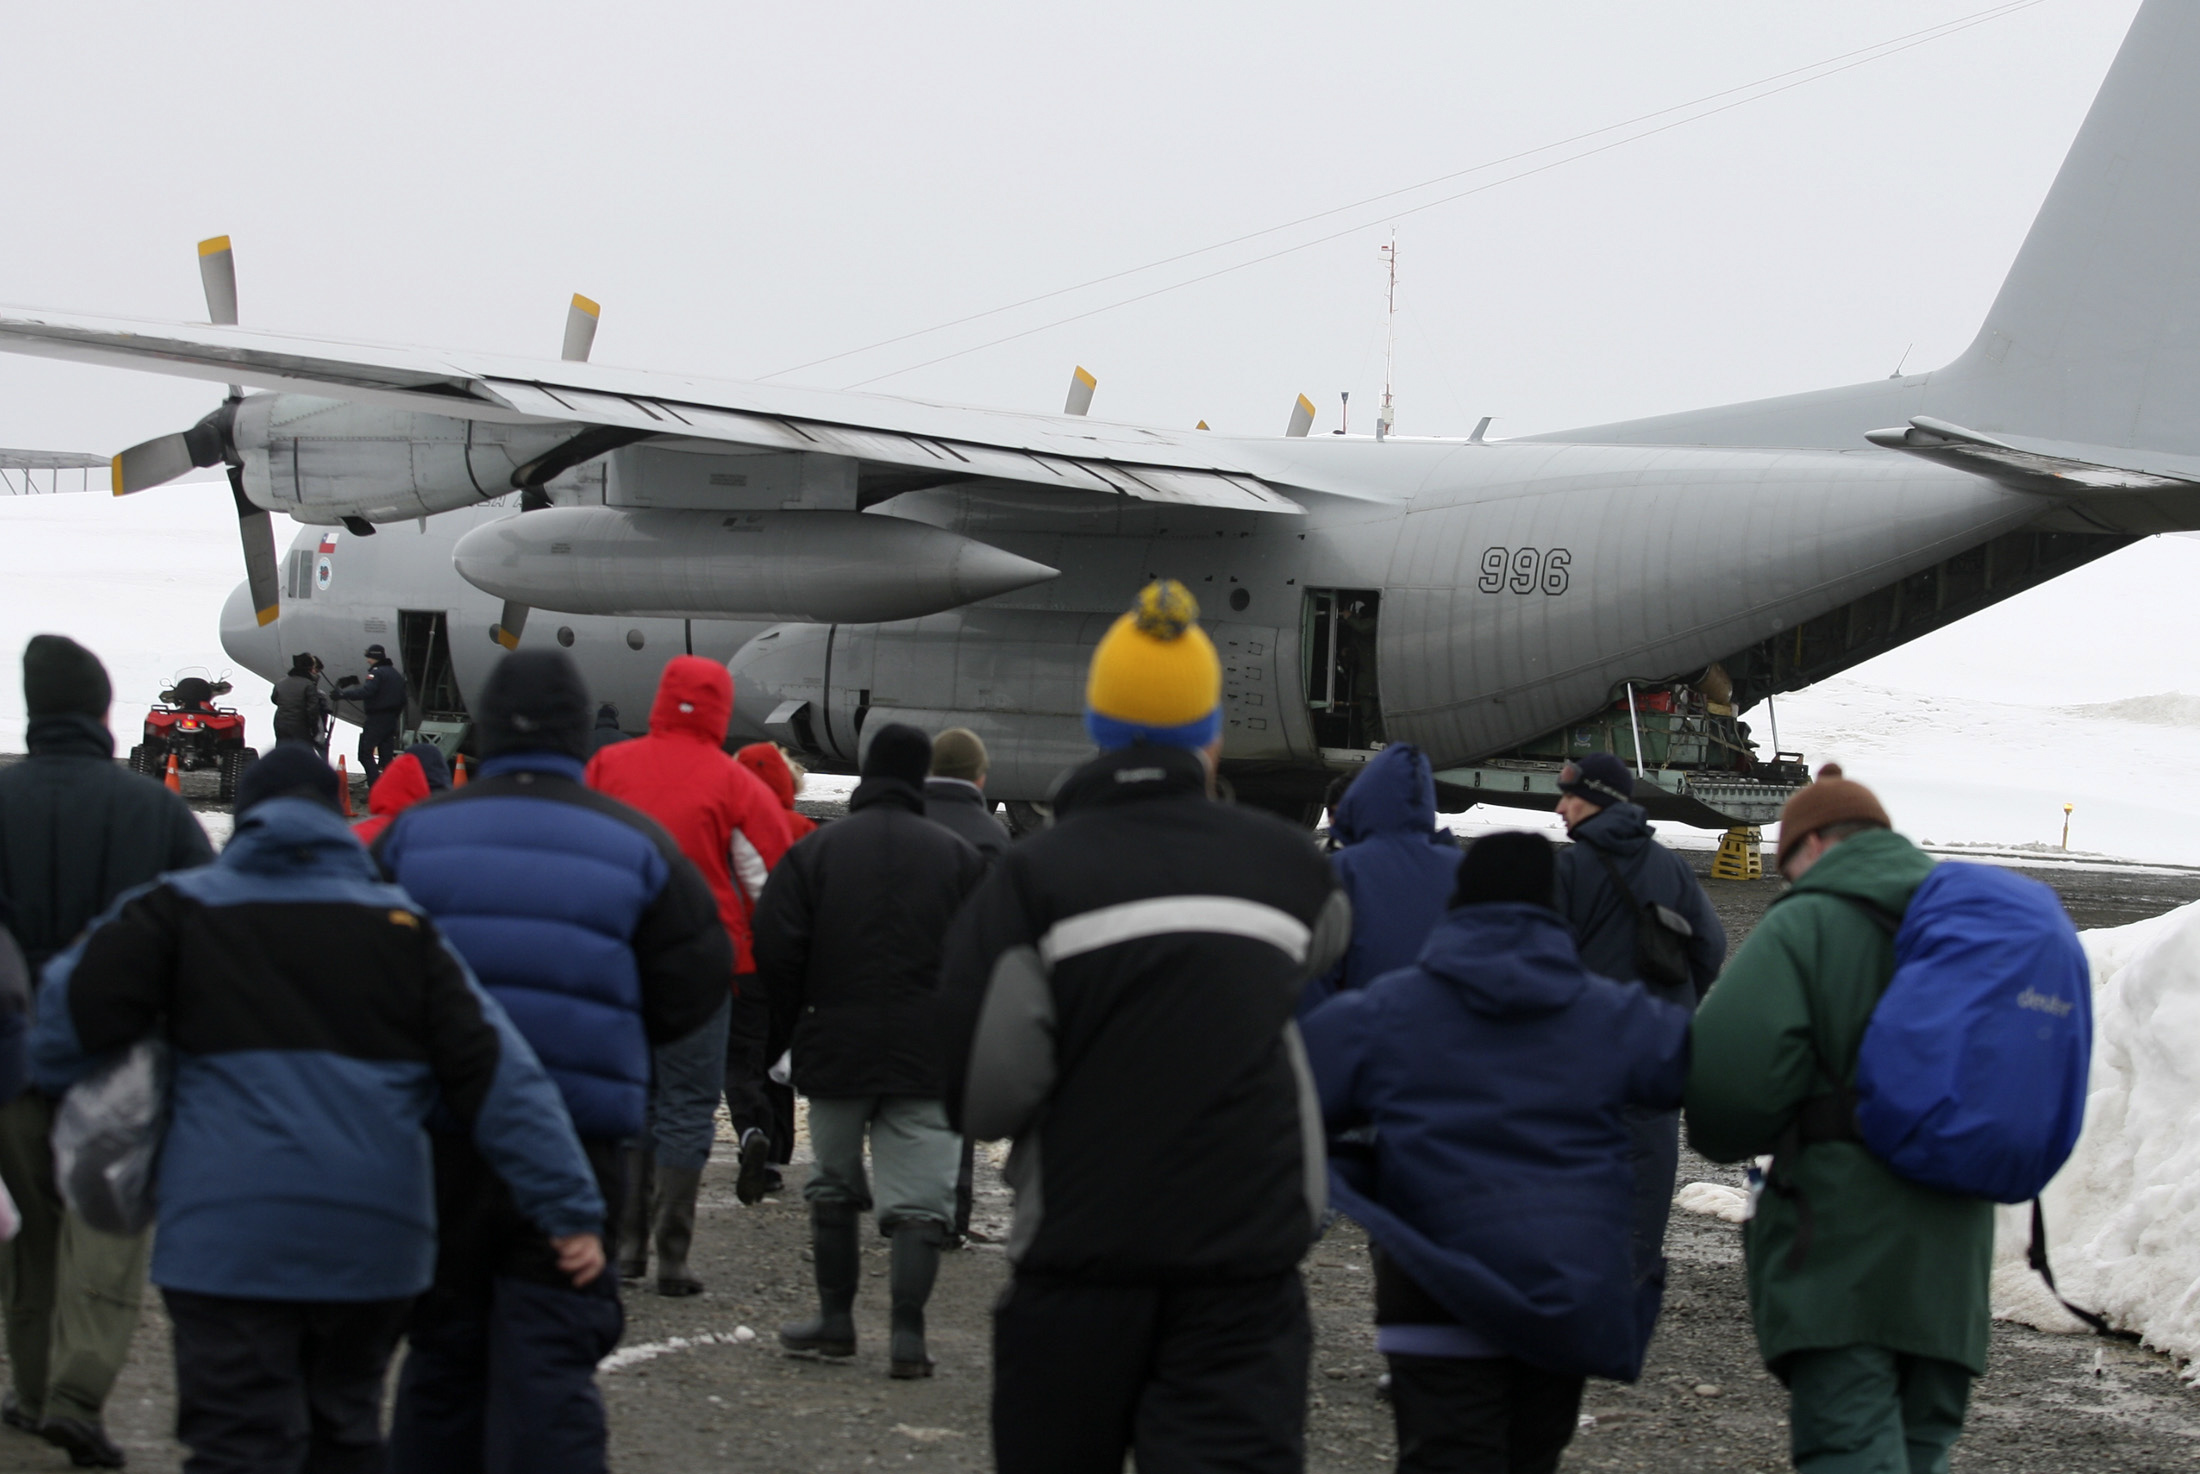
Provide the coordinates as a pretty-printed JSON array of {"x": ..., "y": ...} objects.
[{"x": 1396, "y": 868}]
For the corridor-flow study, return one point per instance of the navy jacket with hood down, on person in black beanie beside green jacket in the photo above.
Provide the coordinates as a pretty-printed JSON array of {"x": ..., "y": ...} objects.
[{"x": 1495, "y": 1075}]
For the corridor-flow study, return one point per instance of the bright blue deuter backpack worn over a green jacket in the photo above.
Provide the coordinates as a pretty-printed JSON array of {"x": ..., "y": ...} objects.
[{"x": 1972, "y": 1075}]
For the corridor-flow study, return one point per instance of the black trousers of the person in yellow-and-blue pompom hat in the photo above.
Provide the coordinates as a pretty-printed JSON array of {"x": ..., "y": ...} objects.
[{"x": 1182, "y": 1376}]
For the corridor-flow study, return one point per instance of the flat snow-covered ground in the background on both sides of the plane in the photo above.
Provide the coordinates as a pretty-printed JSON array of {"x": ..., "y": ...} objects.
[{"x": 2080, "y": 692}]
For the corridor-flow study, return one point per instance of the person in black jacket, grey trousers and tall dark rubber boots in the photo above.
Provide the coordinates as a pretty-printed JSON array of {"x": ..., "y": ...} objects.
[{"x": 848, "y": 945}]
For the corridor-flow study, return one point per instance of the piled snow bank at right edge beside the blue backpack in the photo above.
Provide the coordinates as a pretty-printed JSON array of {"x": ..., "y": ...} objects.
[{"x": 2124, "y": 1215}]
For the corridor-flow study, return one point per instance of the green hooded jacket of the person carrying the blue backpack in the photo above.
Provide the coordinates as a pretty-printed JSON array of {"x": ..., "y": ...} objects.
[{"x": 1891, "y": 1264}]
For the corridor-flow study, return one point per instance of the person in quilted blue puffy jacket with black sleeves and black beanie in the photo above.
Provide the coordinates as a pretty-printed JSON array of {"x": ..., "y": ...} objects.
[{"x": 602, "y": 940}]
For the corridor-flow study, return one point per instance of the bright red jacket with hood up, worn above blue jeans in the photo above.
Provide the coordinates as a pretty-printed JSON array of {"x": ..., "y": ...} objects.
[{"x": 720, "y": 815}]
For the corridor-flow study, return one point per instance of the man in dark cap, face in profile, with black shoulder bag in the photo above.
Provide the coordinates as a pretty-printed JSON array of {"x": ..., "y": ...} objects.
[{"x": 1611, "y": 863}]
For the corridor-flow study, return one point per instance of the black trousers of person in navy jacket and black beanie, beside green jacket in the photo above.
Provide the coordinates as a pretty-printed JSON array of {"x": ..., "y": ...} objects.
[{"x": 1482, "y": 1416}]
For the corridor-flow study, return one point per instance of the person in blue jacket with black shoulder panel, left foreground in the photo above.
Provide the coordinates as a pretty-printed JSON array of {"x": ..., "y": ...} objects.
[{"x": 316, "y": 1017}]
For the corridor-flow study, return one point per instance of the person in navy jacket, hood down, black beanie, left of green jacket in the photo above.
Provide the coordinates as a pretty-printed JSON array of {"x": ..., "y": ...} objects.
[{"x": 1477, "y": 1114}]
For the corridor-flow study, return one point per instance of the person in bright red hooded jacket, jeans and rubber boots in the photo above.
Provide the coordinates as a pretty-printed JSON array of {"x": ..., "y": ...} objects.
[{"x": 729, "y": 824}]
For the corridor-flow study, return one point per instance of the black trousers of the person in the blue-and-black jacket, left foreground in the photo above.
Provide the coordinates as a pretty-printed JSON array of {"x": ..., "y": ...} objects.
[{"x": 276, "y": 1387}]
